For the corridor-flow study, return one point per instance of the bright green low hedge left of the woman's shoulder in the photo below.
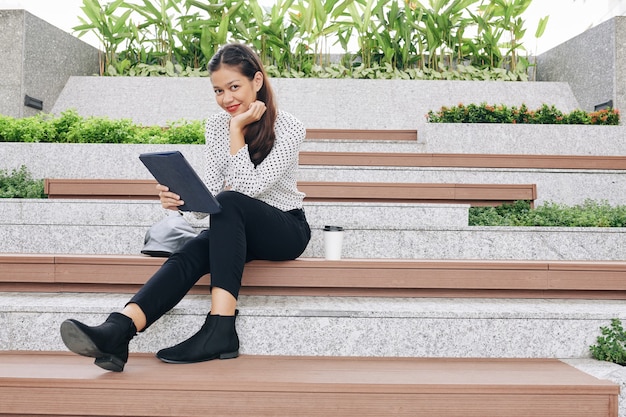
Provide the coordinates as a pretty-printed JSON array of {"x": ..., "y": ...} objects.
[{"x": 70, "y": 127}]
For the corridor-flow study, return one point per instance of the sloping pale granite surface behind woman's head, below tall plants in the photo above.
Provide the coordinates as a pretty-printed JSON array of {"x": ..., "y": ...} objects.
[{"x": 319, "y": 103}]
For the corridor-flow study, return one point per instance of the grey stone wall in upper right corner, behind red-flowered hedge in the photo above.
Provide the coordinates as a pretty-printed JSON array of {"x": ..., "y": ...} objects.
[{"x": 593, "y": 63}]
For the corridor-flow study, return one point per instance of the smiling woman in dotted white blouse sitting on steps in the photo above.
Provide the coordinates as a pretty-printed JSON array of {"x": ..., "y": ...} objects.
[{"x": 252, "y": 157}]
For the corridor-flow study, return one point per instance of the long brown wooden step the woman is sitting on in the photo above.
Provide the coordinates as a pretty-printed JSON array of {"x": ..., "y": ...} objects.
[{"x": 312, "y": 276}]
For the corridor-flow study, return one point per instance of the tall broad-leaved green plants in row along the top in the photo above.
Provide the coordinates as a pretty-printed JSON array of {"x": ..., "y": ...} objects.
[{"x": 440, "y": 39}]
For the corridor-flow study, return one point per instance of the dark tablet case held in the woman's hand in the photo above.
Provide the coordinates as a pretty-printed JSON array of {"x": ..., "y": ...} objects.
[{"x": 174, "y": 171}]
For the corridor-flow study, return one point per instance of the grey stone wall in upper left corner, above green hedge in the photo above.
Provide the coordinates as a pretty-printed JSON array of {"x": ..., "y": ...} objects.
[{"x": 36, "y": 59}]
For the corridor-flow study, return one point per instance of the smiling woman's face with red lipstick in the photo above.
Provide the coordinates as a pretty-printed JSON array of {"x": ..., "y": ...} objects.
[{"x": 234, "y": 92}]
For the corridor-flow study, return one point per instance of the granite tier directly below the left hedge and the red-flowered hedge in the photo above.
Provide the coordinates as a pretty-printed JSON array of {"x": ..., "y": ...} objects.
[{"x": 63, "y": 160}]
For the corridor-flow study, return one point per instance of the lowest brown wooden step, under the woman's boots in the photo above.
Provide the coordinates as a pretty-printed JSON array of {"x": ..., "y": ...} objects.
[{"x": 33, "y": 384}]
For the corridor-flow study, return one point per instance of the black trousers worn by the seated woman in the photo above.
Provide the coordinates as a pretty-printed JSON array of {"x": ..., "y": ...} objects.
[{"x": 245, "y": 229}]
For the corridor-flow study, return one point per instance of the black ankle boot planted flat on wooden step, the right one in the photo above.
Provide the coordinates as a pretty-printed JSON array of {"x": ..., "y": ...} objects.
[{"x": 217, "y": 338}]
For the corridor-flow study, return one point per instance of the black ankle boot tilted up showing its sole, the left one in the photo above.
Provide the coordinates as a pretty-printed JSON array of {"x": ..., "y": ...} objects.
[{"x": 108, "y": 342}]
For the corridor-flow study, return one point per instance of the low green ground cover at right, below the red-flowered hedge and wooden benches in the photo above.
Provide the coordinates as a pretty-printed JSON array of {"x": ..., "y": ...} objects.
[{"x": 588, "y": 214}]
